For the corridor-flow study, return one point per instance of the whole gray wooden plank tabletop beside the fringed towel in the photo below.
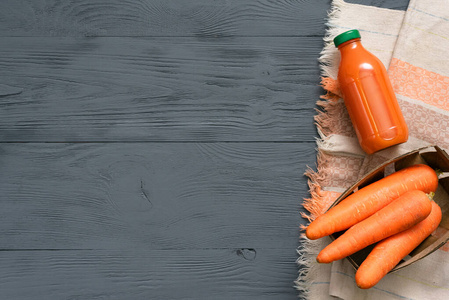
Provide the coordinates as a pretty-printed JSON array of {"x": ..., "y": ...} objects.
[{"x": 155, "y": 149}]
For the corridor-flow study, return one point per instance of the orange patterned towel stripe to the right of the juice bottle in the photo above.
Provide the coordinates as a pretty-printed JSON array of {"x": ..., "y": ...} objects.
[{"x": 419, "y": 84}]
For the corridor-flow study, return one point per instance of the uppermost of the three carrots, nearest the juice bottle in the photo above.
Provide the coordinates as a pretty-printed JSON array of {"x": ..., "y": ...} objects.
[{"x": 366, "y": 201}]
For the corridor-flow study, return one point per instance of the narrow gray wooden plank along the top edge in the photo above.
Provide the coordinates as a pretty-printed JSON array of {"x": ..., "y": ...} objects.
[{"x": 199, "y": 18}]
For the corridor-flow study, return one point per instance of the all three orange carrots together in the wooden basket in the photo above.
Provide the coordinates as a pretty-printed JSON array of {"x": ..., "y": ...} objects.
[{"x": 396, "y": 212}]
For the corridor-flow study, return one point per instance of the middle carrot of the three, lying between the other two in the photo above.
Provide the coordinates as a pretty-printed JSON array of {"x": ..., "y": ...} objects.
[{"x": 401, "y": 214}]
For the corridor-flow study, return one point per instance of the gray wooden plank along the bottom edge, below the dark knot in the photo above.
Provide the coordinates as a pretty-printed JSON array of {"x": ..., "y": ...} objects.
[{"x": 148, "y": 274}]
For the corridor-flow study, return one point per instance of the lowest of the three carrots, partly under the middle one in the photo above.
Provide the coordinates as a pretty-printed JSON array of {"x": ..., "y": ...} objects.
[{"x": 389, "y": 252}]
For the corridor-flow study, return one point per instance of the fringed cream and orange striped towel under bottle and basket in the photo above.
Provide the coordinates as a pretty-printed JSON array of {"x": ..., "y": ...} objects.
[{"x": 413, "y": 46}]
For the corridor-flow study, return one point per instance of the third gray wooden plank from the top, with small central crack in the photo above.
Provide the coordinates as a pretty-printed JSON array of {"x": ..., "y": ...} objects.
[{"x": 152, "y": 195}]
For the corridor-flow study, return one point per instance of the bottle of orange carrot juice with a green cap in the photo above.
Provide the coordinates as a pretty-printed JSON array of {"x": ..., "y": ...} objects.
[{"x": 368, "y": 95}]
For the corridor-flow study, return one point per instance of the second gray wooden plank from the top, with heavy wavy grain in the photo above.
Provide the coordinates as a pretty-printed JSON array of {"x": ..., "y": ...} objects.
[{"x": 158, "y": 89}]
